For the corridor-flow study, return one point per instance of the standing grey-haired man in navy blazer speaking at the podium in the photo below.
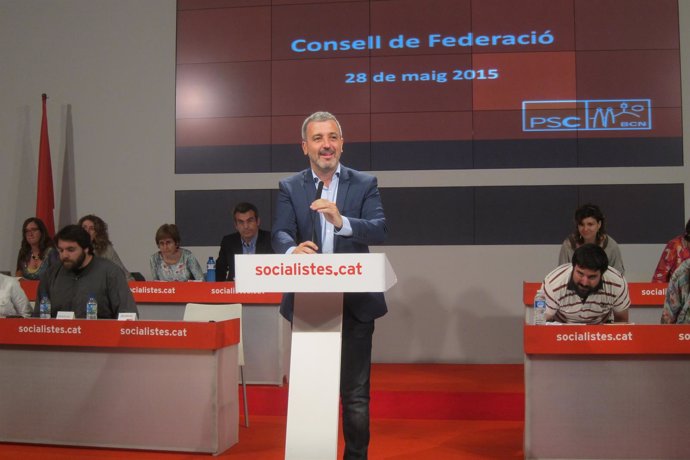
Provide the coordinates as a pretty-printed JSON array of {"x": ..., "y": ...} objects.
[{"x": 346, "y": 217}]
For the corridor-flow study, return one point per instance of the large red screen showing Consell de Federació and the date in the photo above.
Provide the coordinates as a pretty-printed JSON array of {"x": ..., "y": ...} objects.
[{"x": 439, "y": 84}]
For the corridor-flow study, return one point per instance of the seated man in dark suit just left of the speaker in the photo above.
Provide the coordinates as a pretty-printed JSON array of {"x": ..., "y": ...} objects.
[{"x": 248, "y": 239}]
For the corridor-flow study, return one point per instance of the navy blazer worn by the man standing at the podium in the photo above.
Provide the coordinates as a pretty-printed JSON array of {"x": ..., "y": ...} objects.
[{"x": 359, "y": 200}]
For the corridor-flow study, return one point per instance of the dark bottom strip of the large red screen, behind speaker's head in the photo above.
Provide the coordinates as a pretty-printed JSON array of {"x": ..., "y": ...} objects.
[{"x": 440, "y": 155}]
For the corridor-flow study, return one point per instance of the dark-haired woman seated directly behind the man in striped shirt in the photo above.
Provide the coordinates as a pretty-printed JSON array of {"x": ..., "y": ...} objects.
[{"x": 590, "y": 227}]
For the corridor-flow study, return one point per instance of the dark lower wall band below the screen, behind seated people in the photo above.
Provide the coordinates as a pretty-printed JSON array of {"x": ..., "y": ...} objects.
[{"x": 497, "y": 215}]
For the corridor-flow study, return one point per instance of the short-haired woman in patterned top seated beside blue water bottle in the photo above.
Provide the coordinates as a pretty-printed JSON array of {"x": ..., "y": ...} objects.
[{"x": 171, "y": 262}]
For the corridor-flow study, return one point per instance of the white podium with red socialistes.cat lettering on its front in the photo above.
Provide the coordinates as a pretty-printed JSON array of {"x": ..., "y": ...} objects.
[{"x": 318, "y": 281}]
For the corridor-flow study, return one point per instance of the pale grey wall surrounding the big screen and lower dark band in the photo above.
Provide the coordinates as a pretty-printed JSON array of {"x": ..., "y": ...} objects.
[{"x": 113, "y": 63}]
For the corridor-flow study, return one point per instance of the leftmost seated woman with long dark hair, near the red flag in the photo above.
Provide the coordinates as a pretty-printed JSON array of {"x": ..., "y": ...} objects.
[{"x": 36, "y": 251}]
